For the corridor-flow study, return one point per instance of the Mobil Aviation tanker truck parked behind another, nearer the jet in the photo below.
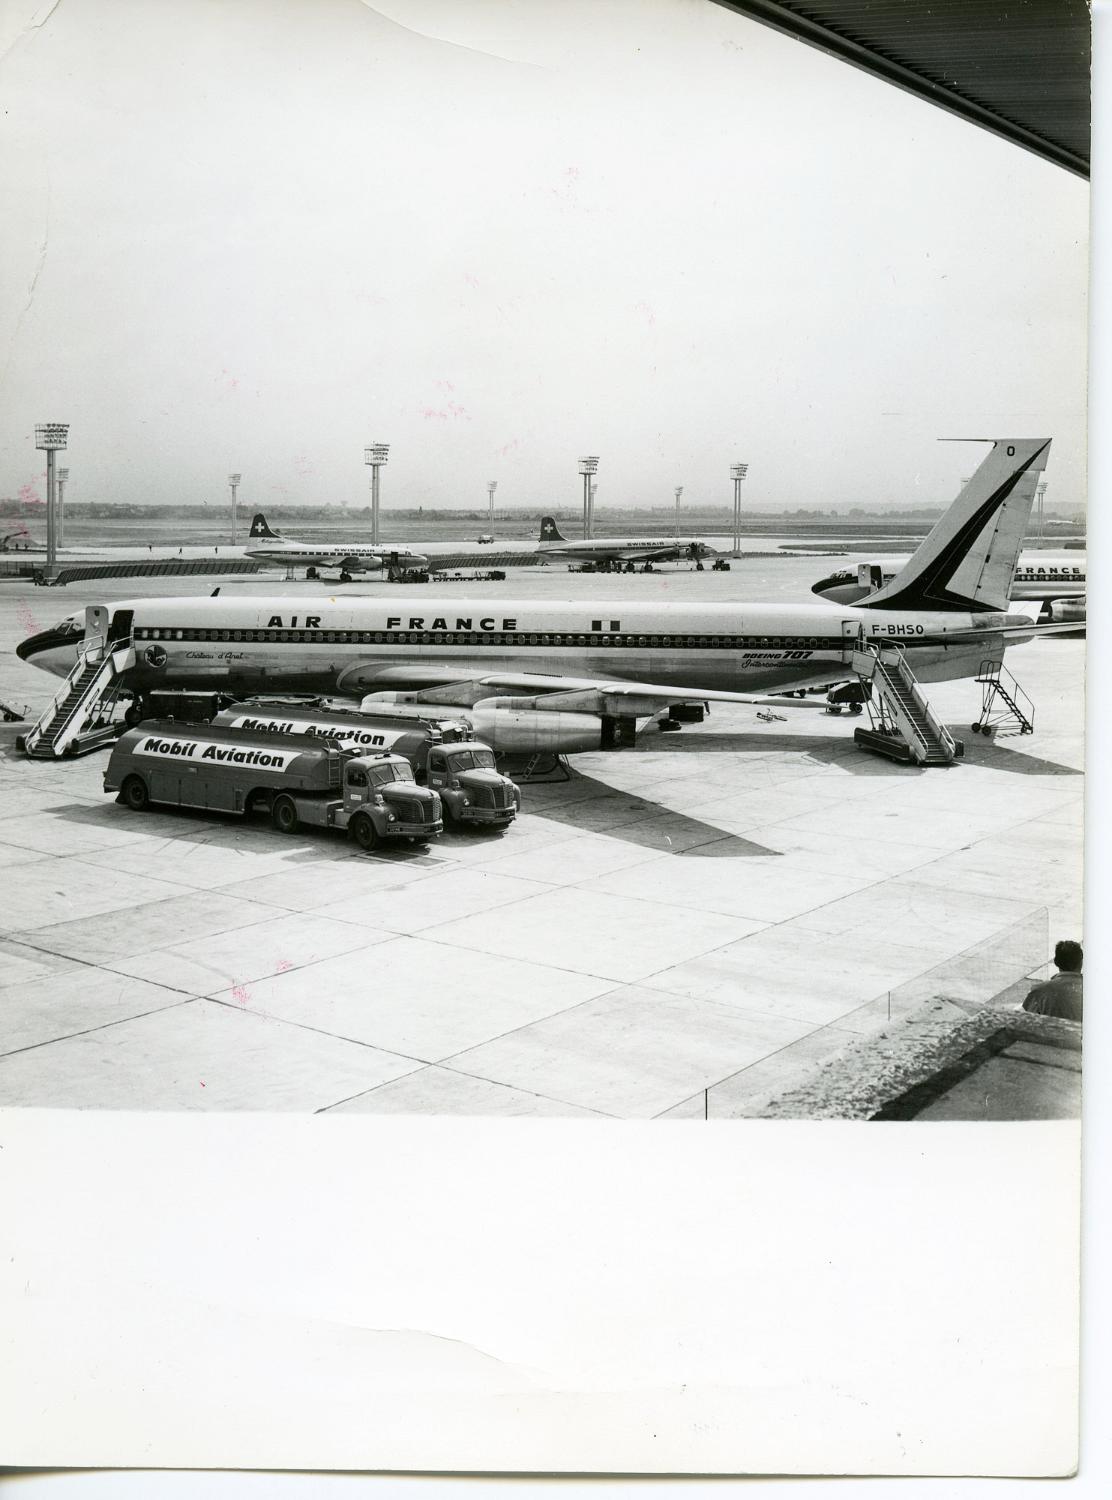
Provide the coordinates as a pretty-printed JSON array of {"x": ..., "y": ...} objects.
[{"x": 440, "y": 752}]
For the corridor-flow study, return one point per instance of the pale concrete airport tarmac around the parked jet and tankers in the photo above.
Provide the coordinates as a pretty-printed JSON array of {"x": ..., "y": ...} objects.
[{"x": 679, "y": 931}]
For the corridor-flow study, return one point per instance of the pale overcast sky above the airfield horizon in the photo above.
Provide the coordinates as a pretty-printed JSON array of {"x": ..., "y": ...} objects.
[{"x": 496, "y": 235}]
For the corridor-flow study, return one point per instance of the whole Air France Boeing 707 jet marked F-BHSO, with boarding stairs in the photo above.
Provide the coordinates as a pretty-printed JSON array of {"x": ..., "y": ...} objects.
[{"x": 561, "y": 673}]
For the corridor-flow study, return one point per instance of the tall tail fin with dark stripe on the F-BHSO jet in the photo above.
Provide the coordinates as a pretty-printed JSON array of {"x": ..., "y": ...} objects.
[{"x": 969, "y": 560}]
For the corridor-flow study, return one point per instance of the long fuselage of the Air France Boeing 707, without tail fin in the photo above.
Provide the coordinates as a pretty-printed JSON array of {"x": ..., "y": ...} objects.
[{"x": 299, "y": 644}]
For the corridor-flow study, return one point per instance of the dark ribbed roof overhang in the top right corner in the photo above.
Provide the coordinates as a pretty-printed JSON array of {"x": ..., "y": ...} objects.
[{"x": 1020, "y": 68}]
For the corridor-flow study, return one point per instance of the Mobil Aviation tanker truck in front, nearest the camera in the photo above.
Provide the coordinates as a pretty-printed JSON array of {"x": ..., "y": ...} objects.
[{"x": 299, "y": 781}]
